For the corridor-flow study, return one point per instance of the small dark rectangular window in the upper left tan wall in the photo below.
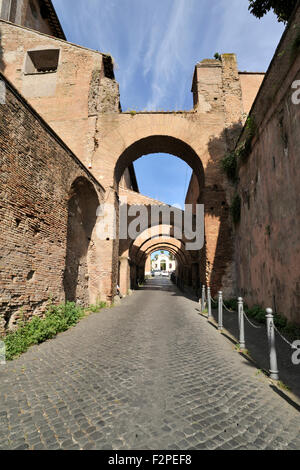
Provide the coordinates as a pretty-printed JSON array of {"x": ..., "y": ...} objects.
[{"x": 45, "y": 61}]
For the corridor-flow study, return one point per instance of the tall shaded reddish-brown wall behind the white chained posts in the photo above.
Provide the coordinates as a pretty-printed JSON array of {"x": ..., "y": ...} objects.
[{"x": 268, "y": 236}]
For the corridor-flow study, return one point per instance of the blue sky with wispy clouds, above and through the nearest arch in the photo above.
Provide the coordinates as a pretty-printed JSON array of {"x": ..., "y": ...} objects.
[{"x": 155, "y": 45}]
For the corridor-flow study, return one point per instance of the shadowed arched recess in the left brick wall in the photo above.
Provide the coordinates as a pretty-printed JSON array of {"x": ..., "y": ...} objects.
[{"x": 82, "y": 207}]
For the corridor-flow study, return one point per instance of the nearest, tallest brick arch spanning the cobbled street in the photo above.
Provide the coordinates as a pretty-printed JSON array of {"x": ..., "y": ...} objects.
[{"x": 196, "y": 138}]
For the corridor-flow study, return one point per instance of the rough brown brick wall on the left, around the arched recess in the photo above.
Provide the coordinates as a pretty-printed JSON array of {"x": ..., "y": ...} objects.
[{"x": 37, "y": 173}]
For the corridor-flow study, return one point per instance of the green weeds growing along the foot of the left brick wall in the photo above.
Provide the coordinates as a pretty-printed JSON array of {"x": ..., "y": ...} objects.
[{"x": 57, "y": 319}]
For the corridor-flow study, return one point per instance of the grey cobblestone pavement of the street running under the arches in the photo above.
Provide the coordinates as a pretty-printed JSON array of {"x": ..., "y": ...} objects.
[{"x": 149, "y": 374}]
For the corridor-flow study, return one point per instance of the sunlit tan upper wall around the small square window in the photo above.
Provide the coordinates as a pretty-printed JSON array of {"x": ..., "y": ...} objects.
[{"x": 71, "y": 97}]
